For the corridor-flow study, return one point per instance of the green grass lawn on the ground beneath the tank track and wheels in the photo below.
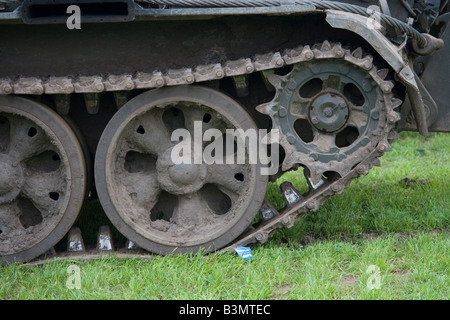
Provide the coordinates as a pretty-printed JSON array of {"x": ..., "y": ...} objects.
[{"x": 401, "y": 228}]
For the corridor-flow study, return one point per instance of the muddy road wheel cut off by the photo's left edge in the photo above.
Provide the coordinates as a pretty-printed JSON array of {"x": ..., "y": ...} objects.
[{"x": 42, "y": 179}]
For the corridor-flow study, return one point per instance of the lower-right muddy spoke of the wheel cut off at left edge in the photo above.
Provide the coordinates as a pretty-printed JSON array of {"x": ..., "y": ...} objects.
[{"x": 45, "y": 190}]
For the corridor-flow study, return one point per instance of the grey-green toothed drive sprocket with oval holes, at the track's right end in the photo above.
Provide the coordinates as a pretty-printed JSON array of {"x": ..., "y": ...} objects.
[{"x": 330, "y": 110}]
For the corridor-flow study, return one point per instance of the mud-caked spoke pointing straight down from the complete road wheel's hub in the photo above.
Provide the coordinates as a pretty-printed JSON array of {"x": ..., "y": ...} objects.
[{"x": 192, "y": 210}]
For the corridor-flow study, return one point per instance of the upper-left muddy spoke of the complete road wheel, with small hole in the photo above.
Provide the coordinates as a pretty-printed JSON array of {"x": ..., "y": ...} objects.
[{"x": 148, "y": 134}]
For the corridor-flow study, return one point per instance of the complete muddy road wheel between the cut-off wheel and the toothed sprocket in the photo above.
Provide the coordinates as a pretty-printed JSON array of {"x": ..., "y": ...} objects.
[{"x": 171, "y": 206}]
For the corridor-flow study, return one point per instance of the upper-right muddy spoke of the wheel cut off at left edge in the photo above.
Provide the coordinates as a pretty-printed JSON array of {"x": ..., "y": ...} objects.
[{"x": 27, "y": 139}]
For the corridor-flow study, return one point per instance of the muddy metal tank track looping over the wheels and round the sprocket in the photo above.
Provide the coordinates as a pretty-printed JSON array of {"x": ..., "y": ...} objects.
[{"x": 297, "y": 205}]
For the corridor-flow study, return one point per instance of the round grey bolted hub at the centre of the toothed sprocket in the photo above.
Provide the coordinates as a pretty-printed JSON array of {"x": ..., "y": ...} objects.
[{"x": 328, "y": 112}]
